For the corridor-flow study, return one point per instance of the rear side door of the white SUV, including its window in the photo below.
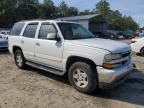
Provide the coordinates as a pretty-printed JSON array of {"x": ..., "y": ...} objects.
[{"x": 28, "y": 41}]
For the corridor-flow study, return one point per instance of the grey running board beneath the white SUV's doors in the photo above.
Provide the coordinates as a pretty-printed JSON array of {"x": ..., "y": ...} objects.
[{"x": 47, "y": 69}]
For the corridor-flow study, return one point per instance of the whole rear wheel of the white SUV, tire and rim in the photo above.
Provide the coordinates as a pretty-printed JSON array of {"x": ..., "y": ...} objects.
[{"x": 19, "y": 59}]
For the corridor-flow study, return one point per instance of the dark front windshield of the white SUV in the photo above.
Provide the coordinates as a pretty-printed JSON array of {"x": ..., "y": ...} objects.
[{"x": 72, "y": 31}]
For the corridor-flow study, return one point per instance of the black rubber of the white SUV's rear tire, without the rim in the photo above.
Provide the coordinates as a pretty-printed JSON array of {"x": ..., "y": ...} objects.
[{"x": 23, "y": 59}]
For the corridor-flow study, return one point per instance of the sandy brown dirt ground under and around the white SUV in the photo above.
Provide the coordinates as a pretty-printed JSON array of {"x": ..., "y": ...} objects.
[{"x": 32, "y": 88}]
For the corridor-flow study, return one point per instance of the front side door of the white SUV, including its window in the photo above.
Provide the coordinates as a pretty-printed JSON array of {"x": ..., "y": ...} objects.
[{"x": 48, "y": 52}]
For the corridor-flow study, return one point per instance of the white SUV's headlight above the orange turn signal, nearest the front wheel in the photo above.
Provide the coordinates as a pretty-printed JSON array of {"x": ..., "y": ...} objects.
[{"x": 110, "y": 57}]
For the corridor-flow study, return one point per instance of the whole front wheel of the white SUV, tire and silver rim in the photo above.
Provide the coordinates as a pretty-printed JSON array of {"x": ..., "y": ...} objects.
[{"x": 83, "y": 77}]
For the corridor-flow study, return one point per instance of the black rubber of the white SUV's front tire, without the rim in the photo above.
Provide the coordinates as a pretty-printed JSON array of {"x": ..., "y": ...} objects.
[{"x": 91, "y": 73}]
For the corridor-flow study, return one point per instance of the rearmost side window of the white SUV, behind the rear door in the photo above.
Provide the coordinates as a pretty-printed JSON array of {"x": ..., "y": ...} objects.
[{"x": 16, "y": 30}]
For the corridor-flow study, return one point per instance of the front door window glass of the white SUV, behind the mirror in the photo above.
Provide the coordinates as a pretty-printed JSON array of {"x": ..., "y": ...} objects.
[{"x": 46, "y": 29}]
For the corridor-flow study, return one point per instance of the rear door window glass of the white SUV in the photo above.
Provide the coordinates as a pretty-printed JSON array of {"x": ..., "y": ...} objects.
[{"x": 30, "y": 30}]
